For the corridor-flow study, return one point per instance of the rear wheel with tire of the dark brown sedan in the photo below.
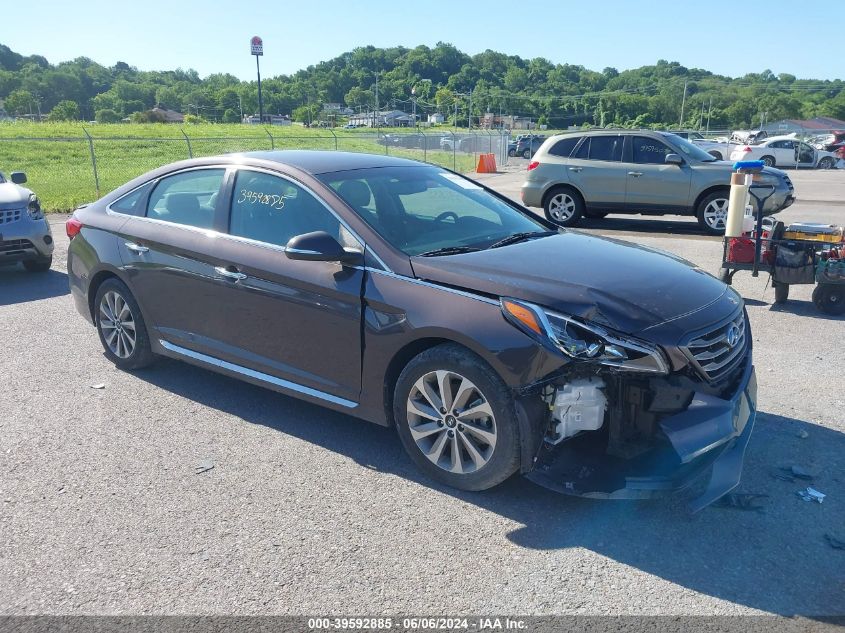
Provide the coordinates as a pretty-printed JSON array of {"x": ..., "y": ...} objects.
[{"x": 121, "y": 326}]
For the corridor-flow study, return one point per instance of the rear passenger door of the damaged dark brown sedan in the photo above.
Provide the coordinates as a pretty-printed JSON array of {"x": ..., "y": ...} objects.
[{"x": 169, "y": 256}]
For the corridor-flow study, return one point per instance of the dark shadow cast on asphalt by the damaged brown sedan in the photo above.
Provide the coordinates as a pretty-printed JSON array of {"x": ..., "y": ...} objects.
[{"x": 775, "y": 560}]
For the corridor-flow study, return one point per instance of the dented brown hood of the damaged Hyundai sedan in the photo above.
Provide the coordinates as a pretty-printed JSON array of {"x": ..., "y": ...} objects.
[{"x": 621, "y": 285}]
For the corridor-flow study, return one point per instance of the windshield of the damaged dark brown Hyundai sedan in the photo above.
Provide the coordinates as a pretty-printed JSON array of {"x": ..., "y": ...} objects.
[{"x": 426, "y": 209}]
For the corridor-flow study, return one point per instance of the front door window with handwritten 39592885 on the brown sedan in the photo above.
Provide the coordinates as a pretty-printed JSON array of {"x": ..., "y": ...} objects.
[{"x": 271, "y": 209}]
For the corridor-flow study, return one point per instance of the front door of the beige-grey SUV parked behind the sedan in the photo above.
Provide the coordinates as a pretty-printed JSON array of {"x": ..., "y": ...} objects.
[{"x": 654, "y": 185}]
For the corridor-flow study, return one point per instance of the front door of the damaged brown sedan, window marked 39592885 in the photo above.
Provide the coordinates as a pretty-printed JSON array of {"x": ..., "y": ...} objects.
[{"x": 295, "y": 320}]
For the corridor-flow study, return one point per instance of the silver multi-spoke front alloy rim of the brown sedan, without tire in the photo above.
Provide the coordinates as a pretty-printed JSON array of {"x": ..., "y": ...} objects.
[{"x": 451, "y": 422}]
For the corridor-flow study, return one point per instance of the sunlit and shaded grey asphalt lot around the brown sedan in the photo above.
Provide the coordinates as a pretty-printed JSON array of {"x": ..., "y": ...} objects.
[{"x": 312, "y": 512}]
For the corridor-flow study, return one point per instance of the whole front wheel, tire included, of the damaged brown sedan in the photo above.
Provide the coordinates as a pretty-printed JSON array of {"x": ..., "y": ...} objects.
[{"x": 456, "y": 419}]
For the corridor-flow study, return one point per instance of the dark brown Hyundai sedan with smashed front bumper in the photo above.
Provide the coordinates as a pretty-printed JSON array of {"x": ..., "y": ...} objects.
[{"x": 410, "y": 296}]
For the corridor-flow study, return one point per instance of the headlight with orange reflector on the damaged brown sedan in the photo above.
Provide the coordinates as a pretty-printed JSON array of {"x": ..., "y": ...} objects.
[{"x": 584, "y": 342}]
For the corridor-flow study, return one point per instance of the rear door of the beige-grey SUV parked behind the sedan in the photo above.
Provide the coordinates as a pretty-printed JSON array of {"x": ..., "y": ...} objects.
[{"x": 596, "y": 169}]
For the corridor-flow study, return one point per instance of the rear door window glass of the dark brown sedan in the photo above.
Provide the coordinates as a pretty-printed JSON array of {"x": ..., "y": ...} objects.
[{"x": 187, "y": 198}]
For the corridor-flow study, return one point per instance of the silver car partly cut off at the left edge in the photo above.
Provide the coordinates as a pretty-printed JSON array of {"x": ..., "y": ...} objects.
[{"x": 25, "y": 234}]
